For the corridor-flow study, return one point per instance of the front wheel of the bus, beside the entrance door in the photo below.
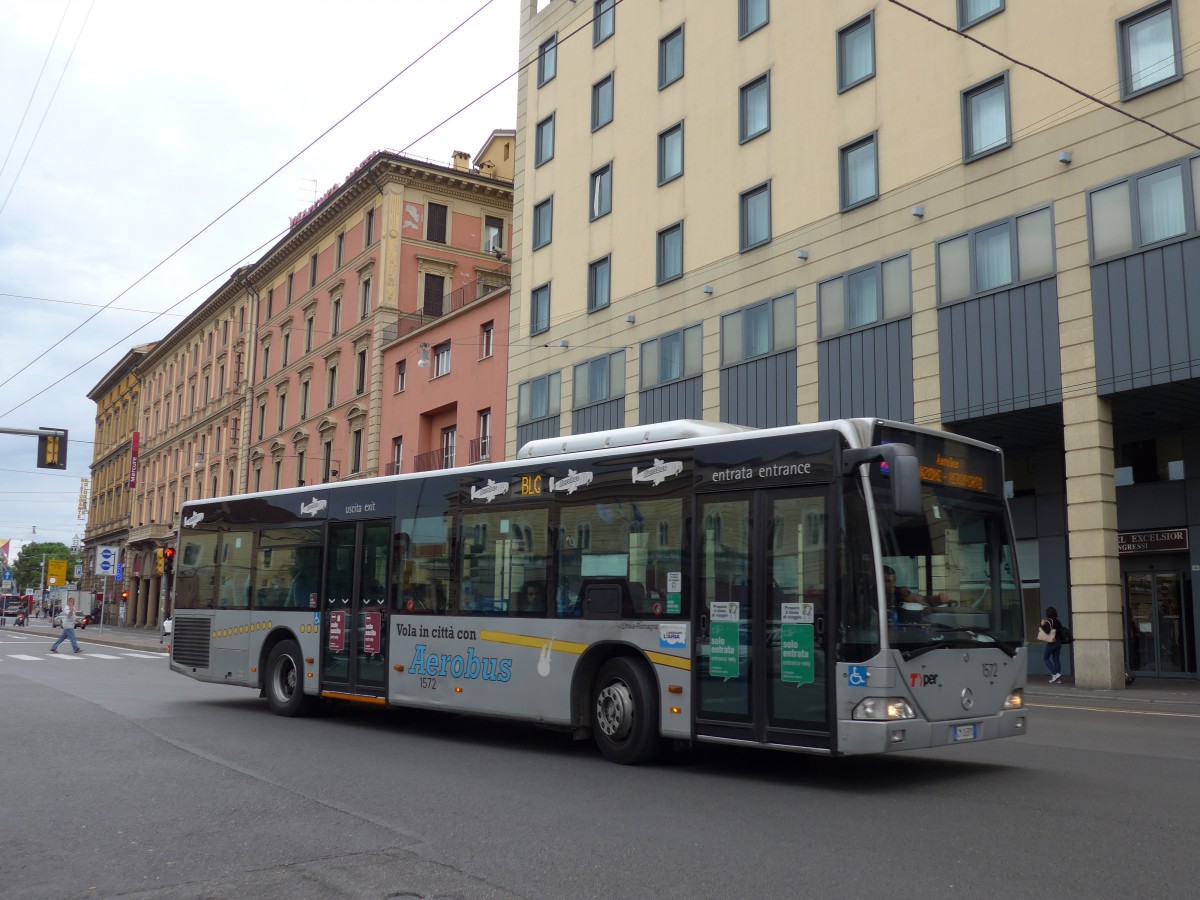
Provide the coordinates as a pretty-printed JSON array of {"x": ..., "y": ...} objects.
[{"x": 626, "y": 713}]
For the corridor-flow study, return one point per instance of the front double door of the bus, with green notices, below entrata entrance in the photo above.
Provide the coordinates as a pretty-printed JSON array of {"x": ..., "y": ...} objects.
[{"x": 761, "y": 665}]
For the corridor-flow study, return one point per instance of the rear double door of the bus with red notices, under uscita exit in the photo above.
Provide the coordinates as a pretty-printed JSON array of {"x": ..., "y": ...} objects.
[{"x": 355, "y": 610}]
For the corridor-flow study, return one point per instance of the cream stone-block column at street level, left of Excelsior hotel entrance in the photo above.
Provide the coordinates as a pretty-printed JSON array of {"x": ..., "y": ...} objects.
[{"x": 1093, "y": 544}]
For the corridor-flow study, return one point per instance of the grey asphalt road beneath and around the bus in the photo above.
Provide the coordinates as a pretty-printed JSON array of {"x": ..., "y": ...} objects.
[{"x": 123, "y": 779}]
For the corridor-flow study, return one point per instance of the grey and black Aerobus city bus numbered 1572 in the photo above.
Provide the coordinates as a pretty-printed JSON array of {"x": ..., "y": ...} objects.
[{"x": 655, "y": 586}]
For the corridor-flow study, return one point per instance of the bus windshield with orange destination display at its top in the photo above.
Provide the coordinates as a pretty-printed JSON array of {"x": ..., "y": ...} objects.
[{"x": 950, "y": 577}]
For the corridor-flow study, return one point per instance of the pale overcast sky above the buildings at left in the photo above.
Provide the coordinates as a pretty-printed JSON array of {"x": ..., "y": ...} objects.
[{"x": 145, "y": 121}]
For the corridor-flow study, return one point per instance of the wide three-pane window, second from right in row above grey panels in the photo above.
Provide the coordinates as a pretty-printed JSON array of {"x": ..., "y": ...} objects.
[{"x": 997, "y": 256}]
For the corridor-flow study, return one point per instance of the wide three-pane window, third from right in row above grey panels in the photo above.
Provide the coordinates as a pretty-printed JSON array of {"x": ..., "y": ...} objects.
[{"x": 865, "y": 297}]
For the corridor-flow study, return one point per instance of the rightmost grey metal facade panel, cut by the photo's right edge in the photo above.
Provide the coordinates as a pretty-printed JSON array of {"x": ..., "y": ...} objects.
[{"x": 1142, "y": 304}]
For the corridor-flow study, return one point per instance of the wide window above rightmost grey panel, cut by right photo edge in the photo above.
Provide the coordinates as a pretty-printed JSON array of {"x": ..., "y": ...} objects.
[{"x": 1145, "y": 209}]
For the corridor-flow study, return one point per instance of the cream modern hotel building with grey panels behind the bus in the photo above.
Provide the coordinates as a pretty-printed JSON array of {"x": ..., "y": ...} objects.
[{"x": 971, "y": 214}]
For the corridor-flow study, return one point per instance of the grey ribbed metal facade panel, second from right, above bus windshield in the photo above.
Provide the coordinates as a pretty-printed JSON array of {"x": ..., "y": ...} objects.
[{"x": 1000, "y": 352}]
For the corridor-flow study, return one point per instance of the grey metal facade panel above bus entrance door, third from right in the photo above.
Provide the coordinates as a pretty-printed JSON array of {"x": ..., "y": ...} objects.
[{"x": 867, "y": 373}]
